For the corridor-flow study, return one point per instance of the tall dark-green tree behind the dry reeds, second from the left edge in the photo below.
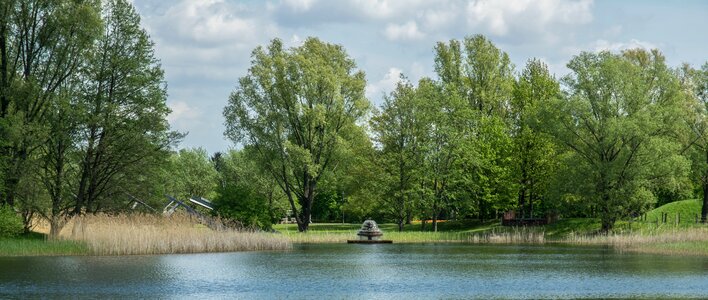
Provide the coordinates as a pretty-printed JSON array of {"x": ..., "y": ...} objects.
[{"x": 124, "y": 133}]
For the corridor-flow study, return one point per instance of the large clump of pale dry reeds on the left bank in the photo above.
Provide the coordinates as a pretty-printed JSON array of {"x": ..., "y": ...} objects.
[{"x": 154, "y": 234}]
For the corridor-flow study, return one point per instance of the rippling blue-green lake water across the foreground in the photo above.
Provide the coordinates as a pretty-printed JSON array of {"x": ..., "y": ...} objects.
[{"x": 397, "y": 271}]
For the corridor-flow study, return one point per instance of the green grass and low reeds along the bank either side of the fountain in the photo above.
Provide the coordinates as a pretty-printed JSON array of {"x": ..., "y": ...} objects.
[{"x": 635, "y": 237}]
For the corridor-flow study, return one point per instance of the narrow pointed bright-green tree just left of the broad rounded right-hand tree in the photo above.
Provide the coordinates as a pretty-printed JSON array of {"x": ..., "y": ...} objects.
[{"x": 534, "y": 151}]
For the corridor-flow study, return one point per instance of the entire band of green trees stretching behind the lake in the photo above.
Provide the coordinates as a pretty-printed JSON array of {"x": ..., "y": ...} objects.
[{"x": 83, "y": 130}]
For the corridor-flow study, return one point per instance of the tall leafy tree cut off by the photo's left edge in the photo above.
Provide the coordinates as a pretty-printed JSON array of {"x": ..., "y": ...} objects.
[{"x": 42, "y": 43}]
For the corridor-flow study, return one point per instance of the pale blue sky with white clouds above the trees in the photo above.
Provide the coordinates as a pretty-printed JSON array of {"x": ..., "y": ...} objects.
[{"x": 205, "y": 45}]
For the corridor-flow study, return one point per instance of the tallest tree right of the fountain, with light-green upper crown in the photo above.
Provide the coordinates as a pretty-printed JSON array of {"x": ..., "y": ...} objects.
[{"x": 478, "y": 72}]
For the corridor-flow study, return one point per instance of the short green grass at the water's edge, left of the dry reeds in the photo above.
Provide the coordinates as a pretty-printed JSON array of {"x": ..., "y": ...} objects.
[{"x": 36, "y": 244}]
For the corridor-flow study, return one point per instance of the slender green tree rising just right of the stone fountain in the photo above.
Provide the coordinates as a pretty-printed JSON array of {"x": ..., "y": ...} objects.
[{"x": 399, "y": 131}]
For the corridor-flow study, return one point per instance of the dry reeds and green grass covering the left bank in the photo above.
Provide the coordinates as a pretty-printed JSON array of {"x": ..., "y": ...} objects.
[{"x": 139, "y": 234}]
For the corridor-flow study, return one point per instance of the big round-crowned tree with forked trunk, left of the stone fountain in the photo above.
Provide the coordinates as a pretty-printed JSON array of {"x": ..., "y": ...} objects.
[{"x": 293, "y": 107}]
